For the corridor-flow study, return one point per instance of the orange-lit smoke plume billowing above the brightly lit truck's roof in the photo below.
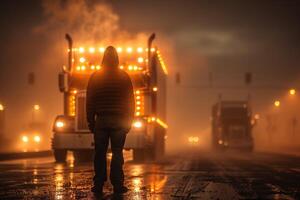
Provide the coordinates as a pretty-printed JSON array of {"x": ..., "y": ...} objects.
[{"x": 87, "y": 23}]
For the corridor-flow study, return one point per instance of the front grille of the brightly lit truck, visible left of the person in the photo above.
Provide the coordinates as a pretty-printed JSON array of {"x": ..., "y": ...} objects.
[{"x": 81, "y": 123}]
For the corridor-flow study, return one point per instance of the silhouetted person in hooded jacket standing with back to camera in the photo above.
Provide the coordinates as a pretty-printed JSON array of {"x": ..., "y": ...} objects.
[{"x": 110, "y": 110}]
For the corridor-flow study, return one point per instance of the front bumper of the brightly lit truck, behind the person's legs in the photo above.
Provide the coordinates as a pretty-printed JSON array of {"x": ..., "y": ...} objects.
[{"x": 73, "y": 141}]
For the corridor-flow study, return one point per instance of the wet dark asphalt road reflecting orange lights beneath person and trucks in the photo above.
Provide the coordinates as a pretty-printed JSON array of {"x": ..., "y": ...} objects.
[{"x": 190, "y": 175}]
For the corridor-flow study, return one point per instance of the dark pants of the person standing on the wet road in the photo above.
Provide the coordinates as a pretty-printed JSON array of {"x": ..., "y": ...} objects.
[{"x": 117, "y": 138}]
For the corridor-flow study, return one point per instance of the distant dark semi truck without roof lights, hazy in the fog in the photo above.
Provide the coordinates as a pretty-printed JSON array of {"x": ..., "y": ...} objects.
[{"x": 232, "y": 125}]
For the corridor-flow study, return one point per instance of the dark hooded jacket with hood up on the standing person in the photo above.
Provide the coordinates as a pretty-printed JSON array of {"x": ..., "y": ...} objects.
[{"x": 110, "y": 96}]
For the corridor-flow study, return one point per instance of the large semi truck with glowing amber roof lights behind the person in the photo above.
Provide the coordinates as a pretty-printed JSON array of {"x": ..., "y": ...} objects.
[{"x": 148, "y": 72}]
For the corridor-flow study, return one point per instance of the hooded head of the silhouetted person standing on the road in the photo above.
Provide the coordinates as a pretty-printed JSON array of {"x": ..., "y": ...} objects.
[{"x": 110, "y": 58}]
